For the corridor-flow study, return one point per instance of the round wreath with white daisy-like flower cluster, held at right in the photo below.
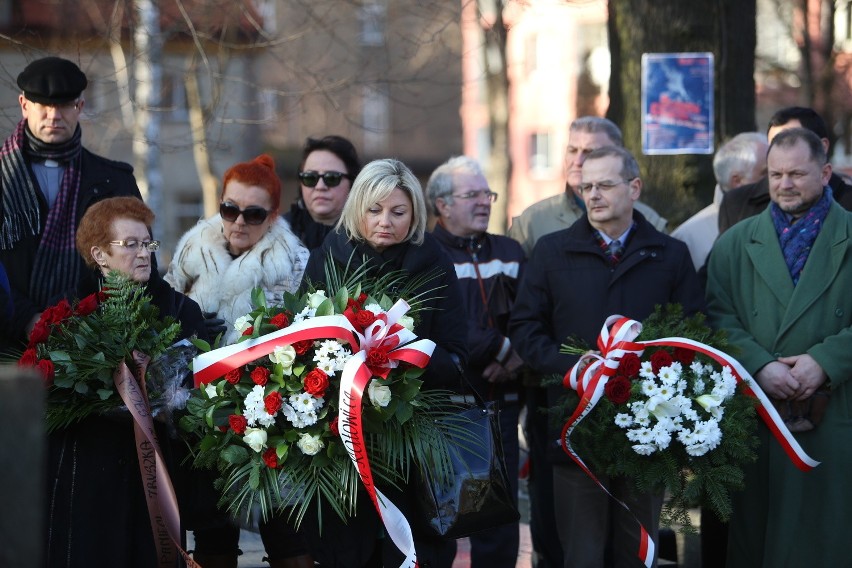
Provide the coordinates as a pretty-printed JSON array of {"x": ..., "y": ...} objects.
[{"x": 665, "y": 412}]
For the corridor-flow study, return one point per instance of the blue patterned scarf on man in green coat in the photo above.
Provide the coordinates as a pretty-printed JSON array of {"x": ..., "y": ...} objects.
[{"x": 797, "y": 239}]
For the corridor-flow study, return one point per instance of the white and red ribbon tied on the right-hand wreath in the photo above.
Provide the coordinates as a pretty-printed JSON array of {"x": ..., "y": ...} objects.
[{"x": 617, "y": 339}]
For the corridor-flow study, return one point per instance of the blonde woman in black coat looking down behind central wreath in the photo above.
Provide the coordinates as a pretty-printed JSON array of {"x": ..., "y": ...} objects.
[{"x": 383, "y": 225}]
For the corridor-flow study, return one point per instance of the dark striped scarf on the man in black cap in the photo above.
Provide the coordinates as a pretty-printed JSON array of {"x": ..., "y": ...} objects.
[{"x": 57, "y": 263}]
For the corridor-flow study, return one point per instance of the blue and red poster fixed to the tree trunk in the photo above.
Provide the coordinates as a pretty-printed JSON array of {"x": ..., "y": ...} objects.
[{"x": 677, "y": 103}]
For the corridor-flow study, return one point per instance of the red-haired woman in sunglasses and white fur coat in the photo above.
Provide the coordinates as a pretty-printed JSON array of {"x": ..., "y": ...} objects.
[{"x": 247, "y": 245}]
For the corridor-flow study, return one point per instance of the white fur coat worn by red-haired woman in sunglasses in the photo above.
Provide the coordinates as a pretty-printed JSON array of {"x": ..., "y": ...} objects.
[{"x": 203, "y": 269}]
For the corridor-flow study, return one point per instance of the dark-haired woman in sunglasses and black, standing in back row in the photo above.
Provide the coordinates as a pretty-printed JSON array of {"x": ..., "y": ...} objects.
[{"x": 326, "y": 172}]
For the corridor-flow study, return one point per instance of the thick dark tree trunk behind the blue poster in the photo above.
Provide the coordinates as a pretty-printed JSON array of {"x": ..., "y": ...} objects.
[{"x": 679, "y": 185}]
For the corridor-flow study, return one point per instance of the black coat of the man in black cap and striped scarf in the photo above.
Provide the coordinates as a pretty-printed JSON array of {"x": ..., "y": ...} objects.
[{"x": 100, "y": 178}]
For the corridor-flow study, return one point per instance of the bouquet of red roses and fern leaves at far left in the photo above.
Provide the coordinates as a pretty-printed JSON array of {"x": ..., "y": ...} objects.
[{"x": 79, "y": 347}]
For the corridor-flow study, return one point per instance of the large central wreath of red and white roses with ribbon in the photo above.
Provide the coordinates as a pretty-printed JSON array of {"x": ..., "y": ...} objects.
[{"x": 287, "y": 429}]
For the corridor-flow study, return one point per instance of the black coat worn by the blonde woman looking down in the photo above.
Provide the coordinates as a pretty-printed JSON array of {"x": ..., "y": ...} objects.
[{"x": 444, "y": 318}]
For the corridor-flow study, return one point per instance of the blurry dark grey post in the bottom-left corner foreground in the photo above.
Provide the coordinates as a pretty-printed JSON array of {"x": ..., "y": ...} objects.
[{"x": 22, "y": 492}]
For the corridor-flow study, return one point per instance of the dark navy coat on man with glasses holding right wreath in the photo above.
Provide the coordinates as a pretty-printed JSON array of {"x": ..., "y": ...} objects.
[{"x": 569, "y": 289}]
